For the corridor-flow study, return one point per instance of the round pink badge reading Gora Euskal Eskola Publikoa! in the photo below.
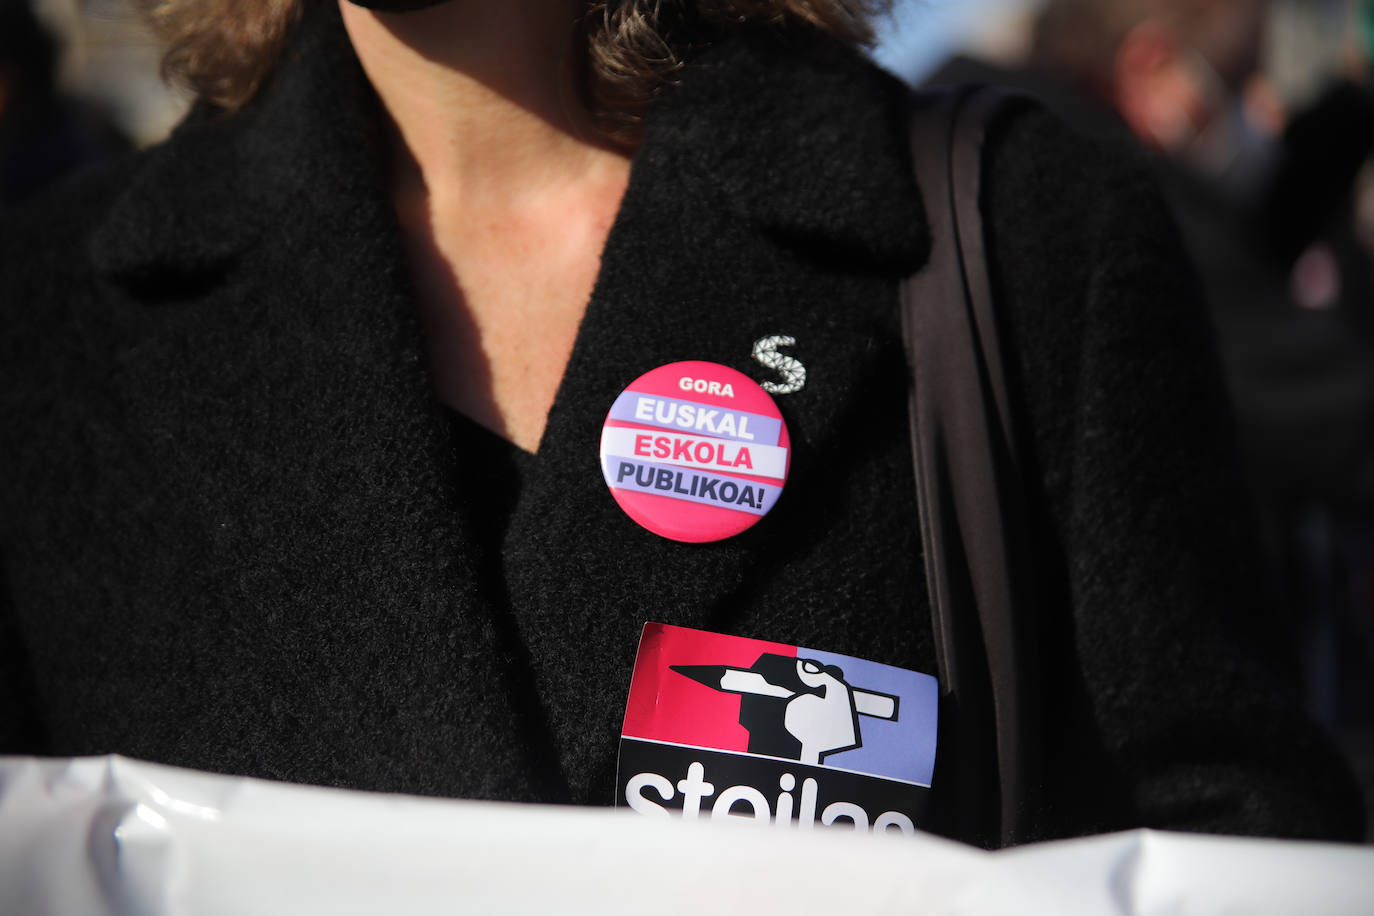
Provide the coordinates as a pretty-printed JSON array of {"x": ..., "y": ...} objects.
[{"x": 696, "y": 451}]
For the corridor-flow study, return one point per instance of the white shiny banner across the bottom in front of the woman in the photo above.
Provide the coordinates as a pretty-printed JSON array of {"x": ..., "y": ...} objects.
[{"x": 112, "y": 836}]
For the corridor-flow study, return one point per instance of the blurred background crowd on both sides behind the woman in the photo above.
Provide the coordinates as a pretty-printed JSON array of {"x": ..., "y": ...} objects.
[{"x": 1259, "y": 117}]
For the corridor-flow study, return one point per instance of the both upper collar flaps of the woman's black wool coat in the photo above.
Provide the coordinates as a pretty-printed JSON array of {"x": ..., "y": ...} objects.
[{"x": 776, "y": 126}]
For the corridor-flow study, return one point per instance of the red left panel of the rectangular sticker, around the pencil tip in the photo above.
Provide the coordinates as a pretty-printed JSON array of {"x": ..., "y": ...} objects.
[{"x": 667, "y": 707}]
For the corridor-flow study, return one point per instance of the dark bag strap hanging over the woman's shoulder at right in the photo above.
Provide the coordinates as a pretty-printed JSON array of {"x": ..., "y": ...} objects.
[{"x": 969, "y": 490}]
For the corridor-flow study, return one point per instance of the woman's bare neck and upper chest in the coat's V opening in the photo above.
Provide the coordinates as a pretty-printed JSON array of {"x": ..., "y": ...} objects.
[{"x": 504, "y": 189}]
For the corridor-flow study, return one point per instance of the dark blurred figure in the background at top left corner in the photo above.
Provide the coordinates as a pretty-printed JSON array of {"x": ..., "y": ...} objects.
[{"x": 45, "y": 135}]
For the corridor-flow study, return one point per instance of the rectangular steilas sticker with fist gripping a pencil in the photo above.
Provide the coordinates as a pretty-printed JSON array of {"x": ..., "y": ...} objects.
[{"x": 723, "y": 727}]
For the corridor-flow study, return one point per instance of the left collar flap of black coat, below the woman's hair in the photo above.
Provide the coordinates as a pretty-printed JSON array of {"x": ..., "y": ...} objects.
[{"x": 216, "y": 187}]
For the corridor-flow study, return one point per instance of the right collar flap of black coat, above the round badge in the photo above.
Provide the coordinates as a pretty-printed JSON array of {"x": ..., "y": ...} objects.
[{"x": 781, "y": 127}]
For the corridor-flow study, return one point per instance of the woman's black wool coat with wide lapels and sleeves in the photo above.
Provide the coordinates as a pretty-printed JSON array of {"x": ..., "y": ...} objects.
[{"x": 238, "y": 531}]
